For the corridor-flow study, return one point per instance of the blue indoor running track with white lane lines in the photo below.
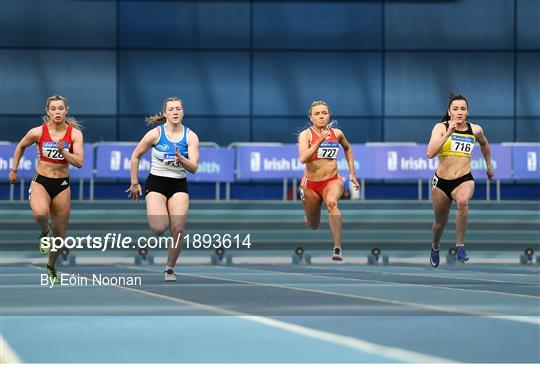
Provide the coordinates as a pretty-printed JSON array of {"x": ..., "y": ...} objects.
[{"x": 486, "y": 310}]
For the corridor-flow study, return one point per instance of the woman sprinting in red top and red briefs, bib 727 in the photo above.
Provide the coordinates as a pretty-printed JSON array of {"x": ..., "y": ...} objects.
[{"x": 318, "y": 148}]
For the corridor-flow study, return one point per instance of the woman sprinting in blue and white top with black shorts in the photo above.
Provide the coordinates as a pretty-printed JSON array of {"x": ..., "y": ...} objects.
[{"x": 175, "y": 150}]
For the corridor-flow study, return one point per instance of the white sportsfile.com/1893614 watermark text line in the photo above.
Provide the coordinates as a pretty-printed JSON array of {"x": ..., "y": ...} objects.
[{"x": 112, "y": 241}]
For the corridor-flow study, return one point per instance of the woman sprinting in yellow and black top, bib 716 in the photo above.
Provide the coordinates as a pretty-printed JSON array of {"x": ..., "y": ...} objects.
[{"x": 453, "y": 141}]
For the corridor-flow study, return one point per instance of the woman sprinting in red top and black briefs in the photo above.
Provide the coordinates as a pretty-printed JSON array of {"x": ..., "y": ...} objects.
[{"x": 60, "y": 143}]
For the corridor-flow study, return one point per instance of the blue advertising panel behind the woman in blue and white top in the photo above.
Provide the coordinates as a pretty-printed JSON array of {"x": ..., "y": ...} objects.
[{"x": 113, "y": 161}]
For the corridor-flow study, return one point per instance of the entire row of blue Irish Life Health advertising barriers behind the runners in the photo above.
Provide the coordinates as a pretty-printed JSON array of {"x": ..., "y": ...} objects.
[{"x": 281, "y": 162}]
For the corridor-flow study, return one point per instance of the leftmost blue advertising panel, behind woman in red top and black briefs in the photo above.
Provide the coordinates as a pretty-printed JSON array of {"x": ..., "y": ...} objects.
[{"x": 27, "y": 163}]
